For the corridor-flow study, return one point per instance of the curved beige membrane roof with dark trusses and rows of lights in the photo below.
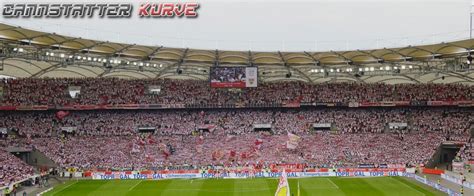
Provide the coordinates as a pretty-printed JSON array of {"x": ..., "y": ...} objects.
[{"x": 140, "y": 61}]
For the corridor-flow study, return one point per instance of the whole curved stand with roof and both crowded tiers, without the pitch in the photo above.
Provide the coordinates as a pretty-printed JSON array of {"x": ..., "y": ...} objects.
[{"x": 345, "y": 115}]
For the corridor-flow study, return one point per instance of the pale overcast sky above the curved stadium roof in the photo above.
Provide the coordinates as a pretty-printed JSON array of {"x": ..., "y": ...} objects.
[{"x": 264, "y": 25}]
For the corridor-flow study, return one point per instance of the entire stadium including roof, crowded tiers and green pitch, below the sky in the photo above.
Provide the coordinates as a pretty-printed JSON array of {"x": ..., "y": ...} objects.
[{"x": 81, "y": 116}]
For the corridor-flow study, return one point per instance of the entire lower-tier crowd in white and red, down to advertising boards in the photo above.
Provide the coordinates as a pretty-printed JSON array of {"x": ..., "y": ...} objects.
[{"x": 111, "y": 139}]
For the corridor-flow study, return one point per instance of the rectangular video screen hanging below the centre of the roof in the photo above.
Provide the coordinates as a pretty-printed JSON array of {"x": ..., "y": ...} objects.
[{"x": 233, "y": 77}]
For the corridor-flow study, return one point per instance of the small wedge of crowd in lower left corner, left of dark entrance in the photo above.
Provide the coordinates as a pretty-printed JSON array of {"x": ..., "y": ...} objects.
[{"x": 12, "y": 169}]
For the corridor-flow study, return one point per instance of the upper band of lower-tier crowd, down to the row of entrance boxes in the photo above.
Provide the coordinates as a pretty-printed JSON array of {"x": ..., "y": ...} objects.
[{"x": 453, "y": 123}]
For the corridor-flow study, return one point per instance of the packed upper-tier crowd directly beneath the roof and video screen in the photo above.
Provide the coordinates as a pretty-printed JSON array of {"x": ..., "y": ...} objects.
[{"x": 113, "y": 91}]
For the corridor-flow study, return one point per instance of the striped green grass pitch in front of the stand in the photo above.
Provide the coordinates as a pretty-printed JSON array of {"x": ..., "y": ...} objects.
[{"x": 248, "y": 187}]
